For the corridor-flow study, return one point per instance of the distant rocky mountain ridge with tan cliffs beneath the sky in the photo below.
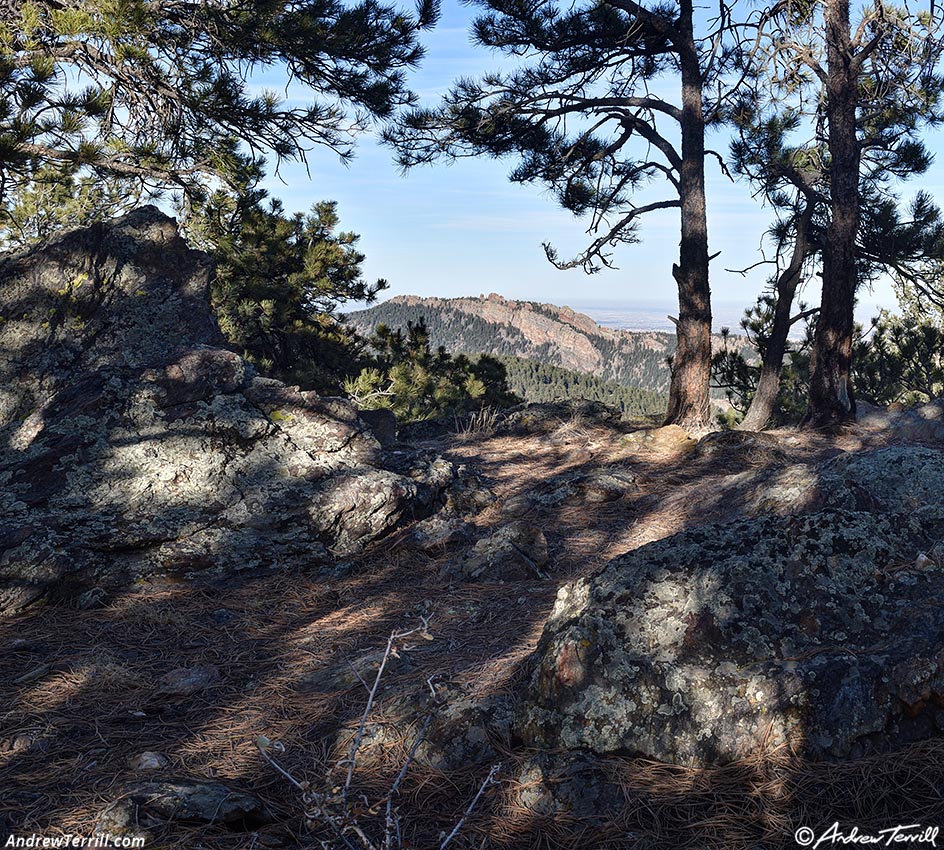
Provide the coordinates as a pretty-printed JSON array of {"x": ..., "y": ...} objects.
[{"x": 557, "y": 336}]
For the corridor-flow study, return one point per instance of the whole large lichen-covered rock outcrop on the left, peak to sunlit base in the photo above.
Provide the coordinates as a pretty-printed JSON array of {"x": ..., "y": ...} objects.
[{"x": 132, "y": 443}]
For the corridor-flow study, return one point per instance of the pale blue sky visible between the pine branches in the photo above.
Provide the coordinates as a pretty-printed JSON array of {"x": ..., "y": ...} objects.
[{"x": 463, "y": 229}]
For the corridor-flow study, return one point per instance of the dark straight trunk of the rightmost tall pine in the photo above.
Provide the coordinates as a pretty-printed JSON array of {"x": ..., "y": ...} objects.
[{"x": 831, "y": 398}]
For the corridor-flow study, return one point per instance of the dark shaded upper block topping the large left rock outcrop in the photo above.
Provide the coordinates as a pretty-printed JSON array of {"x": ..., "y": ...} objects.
[{"x": 123, "y": 295}]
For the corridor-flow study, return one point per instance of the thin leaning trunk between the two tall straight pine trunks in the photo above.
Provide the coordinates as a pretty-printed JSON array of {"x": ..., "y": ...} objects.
[{"x": 768, "y": 383}]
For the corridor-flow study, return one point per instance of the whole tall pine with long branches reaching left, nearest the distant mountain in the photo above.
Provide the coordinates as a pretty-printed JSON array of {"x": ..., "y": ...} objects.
[{"x": 581, "y": 116}]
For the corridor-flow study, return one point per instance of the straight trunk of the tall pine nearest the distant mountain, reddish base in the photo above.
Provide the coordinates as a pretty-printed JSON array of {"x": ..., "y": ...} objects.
[{"x": 689, "y": 404}]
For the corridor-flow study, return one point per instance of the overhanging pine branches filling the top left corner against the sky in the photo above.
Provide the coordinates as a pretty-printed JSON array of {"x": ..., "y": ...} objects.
[{"x": 158, "y": 91}]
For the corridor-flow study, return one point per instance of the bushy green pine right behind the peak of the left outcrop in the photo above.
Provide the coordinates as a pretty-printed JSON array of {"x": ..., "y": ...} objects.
[{"x": 279, "y": 284}]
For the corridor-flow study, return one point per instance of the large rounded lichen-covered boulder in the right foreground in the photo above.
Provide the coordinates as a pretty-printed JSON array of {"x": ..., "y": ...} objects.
[{"x": 815, "y": 630}]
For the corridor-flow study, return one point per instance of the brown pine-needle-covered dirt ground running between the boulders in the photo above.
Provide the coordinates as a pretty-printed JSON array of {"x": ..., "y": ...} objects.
[{"x": 81, "y": 695}]
